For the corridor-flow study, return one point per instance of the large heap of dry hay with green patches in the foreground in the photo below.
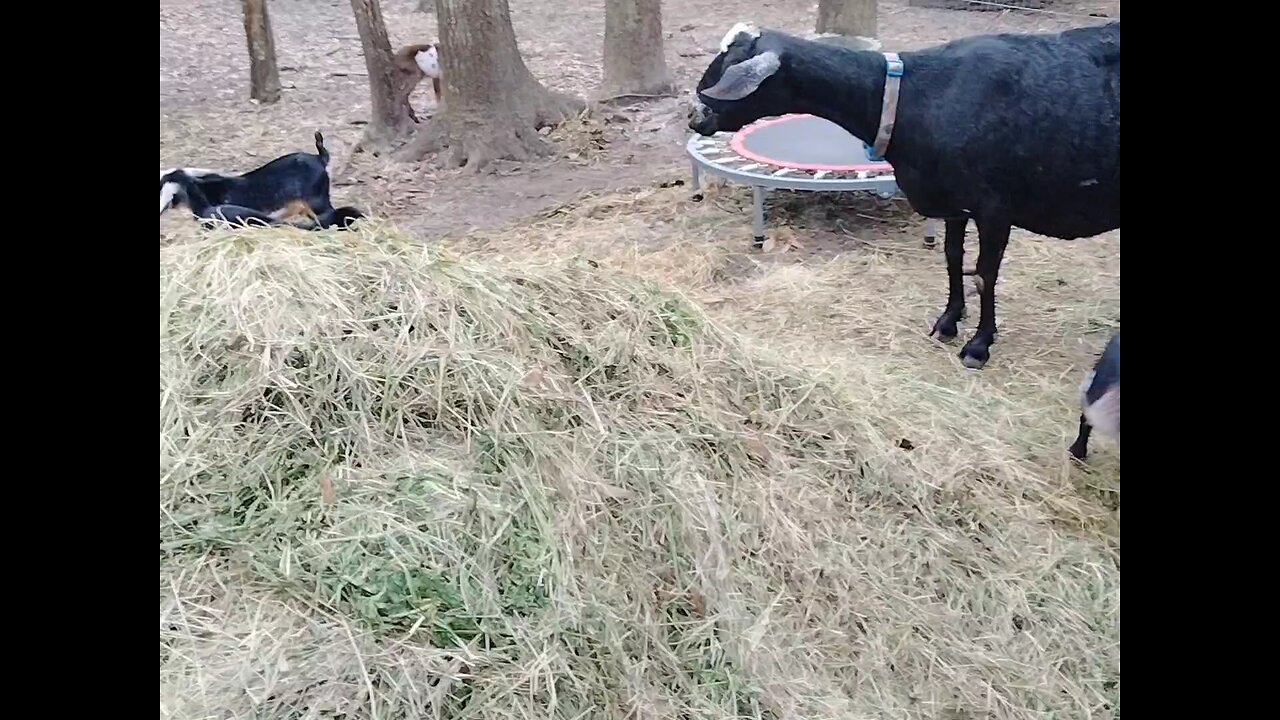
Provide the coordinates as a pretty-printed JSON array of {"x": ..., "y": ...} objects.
[{"x": 394, "y": 485}]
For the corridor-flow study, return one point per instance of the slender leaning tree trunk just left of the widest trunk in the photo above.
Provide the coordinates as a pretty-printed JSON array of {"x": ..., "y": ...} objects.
[{"x": 388, "y": 88}]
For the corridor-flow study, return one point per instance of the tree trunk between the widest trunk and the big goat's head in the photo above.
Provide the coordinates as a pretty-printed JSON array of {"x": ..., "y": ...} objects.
[{"x": 634, "y": 60}]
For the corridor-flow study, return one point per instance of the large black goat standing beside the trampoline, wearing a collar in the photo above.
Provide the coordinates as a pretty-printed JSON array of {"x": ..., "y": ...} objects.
[{"x": 1008, "y": 130}]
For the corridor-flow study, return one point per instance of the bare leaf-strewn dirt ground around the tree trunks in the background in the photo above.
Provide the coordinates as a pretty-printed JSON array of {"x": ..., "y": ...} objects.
[{"x": 207, "y": 119}]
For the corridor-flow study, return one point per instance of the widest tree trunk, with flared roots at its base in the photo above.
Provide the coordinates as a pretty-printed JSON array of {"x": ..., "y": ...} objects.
[{"x": 493, "y": 106}]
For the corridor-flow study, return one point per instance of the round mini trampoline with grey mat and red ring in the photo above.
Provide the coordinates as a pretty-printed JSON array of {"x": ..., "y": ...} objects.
[{"x": 794, "y": 153}]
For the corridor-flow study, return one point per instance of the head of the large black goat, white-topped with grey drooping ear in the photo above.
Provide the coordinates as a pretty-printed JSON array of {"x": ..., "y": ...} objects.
[{"x": 740, "y": 86}]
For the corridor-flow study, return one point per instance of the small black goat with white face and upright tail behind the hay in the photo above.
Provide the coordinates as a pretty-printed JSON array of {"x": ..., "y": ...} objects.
[{"x": 292, "y": 185}]
